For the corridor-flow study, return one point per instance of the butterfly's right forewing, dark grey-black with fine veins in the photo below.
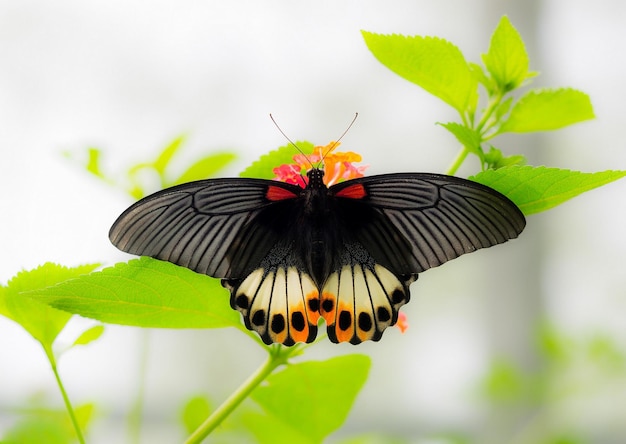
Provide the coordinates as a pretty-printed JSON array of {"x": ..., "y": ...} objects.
[{"x": 429, "y": 218}]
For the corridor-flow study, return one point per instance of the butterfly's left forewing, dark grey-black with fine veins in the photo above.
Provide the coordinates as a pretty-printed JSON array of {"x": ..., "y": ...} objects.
[{"x": 209, "y": 226}]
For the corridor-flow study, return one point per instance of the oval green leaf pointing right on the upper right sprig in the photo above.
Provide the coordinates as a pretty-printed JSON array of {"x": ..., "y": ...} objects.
[{"x": 543, "y": 110}]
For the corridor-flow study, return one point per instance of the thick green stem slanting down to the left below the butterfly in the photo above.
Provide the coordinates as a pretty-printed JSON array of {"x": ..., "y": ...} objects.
[{"x": 278, "y": 356}]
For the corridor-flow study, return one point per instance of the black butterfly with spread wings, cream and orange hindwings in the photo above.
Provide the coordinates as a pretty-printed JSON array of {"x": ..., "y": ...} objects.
[{"x": 346, "y": 253}]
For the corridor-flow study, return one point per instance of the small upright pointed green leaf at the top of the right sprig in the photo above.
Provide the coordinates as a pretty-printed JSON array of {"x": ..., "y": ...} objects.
[{"x": 507, "y": 60}]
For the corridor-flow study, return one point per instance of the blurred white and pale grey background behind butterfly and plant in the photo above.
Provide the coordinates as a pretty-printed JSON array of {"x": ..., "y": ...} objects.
[{"x": 523, "y": 343}]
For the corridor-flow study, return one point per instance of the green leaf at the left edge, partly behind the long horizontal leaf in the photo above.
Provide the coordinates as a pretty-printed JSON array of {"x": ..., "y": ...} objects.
[{"x": 44, "y": 323}]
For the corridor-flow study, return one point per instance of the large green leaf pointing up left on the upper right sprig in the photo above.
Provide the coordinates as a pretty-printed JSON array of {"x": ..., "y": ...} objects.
[{"x": 430, "y": 62}]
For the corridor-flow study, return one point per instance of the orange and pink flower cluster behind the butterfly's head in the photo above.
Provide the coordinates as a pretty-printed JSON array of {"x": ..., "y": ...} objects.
[{"x": 337, "y": 166}]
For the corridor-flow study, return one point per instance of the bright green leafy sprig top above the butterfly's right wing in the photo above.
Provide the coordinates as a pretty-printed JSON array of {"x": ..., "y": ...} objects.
[{"x": 440, "y": 68}]
